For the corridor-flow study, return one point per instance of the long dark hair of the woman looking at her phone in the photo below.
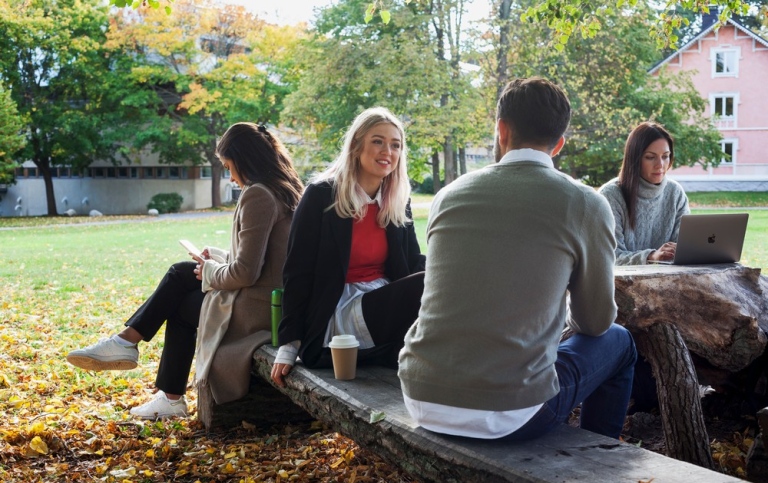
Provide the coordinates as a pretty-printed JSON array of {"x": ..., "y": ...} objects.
[{"x": 260, "y": 157}]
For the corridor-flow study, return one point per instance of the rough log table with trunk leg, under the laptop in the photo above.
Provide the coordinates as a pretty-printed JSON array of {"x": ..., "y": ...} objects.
[{"x": 718, "y": 312}]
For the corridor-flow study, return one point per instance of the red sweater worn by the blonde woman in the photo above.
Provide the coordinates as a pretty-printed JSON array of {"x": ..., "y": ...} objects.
[{"x": 369, "y": 248}]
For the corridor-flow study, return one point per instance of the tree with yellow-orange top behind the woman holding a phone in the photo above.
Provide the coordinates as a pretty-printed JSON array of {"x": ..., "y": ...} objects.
[{"x": 208, "y": 67}]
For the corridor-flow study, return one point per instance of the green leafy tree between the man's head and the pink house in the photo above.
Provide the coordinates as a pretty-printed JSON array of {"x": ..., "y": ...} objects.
[{"x": 606, "y": 78}]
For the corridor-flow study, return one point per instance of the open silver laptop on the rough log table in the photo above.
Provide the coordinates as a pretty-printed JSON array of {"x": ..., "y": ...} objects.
[{"x": 707, "y": 239}]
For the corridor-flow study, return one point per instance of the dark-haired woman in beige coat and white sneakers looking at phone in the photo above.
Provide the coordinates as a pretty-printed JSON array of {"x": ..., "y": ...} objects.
[{"x": 226, "y": 293}]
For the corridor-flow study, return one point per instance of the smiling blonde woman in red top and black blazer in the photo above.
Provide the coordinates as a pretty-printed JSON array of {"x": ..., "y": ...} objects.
[{"x": 354, "y": 264}]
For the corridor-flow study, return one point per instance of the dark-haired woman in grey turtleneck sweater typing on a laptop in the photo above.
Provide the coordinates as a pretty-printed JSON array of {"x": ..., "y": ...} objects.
[{"x": 647, "y": 206}]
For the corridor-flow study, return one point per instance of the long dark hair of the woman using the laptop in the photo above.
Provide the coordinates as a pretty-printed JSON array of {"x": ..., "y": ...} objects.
[{"x": 629, "y": 176}]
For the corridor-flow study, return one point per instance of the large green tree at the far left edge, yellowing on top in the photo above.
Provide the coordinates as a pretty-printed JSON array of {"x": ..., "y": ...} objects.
[{"x": 63, "y": 82}]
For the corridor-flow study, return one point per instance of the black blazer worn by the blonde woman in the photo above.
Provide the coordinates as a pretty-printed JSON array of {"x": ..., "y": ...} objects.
[{"x": 315, "y": 270}]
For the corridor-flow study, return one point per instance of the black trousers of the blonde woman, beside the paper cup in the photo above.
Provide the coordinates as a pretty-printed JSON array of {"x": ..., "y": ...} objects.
[{"x": 389, "y": 312}]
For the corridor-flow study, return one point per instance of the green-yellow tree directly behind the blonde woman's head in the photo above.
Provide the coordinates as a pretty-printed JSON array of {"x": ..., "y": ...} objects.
[{"x": 350, "y": 65}]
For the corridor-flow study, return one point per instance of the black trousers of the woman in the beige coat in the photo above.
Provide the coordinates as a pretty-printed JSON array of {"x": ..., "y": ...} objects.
[{"x": 176, "y": 301}]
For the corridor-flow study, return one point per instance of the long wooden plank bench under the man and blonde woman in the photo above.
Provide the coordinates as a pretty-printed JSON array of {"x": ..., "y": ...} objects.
[{"x": 370, "y": 410}]
